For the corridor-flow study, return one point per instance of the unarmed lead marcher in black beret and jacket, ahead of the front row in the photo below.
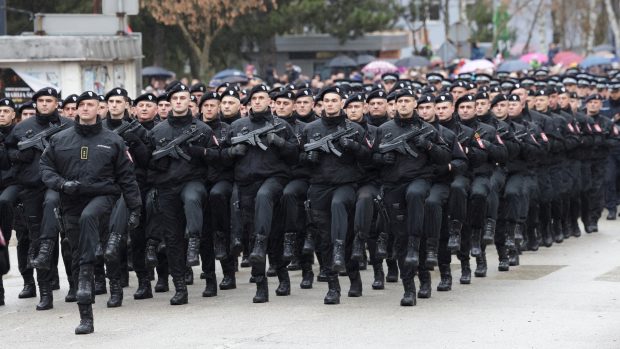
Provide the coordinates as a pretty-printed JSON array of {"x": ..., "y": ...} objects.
[{"x": 91, "y": 168}]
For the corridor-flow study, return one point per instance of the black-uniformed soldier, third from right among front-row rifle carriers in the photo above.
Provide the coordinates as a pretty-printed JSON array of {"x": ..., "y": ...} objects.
[{"x": 261, "y": 175}]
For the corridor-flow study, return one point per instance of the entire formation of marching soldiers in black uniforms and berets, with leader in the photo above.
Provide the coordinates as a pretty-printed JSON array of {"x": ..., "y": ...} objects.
[{"x": 330, "y": 181}]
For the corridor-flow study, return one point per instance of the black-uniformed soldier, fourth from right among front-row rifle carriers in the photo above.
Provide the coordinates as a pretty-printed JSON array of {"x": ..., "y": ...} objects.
[{"x": 180, "y": 187}]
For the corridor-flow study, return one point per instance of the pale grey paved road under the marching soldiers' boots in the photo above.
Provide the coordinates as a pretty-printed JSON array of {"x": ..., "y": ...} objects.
[{"x": 563, "y": 297}]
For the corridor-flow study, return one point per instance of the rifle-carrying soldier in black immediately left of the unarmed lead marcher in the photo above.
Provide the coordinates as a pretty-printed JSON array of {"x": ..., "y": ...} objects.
[{"x": 38, "y": 201}]
